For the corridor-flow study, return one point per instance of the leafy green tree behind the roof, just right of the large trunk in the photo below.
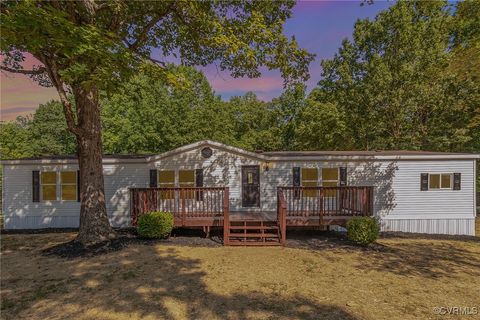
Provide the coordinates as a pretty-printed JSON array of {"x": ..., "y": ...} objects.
[{"x": 152, "y": 116}]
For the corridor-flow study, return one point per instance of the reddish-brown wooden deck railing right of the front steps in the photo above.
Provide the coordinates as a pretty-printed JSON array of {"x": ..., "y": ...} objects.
[{"x": 320, "y": 202}]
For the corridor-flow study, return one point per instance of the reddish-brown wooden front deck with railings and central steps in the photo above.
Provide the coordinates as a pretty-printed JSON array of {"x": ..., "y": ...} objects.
[{"x": 208, "y": 207}]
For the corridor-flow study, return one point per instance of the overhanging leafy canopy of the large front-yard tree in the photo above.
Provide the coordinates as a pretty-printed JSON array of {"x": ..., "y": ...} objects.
[{"x": 110, "y": 41}]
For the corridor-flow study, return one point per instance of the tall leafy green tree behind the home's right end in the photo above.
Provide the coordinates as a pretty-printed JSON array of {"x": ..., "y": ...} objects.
[{"x": 392, "y": 85}]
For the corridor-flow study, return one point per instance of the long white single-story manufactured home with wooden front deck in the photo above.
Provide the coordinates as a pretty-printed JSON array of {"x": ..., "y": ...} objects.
[{"x": 208, "y": 184}]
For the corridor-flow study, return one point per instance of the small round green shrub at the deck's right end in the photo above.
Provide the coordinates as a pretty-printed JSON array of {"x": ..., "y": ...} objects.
[{"x": 363, "y": 230}]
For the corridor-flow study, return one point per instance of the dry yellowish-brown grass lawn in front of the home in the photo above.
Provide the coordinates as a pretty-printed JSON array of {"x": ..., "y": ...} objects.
[{"x": 407, "y": 279}]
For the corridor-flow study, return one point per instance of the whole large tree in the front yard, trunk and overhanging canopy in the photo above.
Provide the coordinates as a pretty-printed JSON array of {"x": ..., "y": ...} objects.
[{"x": 89, "y": 46}]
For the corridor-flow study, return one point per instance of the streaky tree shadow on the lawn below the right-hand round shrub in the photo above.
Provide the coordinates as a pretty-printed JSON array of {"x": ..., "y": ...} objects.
[{"x": 441, "y": 256}]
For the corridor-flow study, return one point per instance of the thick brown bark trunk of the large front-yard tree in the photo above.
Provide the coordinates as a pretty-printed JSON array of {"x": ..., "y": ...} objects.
[{"x": 94, "y": 224}]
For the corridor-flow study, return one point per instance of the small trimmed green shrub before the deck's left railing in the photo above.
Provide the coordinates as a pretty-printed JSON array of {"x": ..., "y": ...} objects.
[{"x": 155, "y": 224}]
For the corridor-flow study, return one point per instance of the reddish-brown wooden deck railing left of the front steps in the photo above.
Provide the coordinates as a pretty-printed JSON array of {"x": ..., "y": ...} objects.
[{"x": 186, "y": 204}]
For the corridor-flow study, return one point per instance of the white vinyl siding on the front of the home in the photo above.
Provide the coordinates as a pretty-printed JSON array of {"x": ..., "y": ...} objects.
[{"x": 398, "y": 201}]
